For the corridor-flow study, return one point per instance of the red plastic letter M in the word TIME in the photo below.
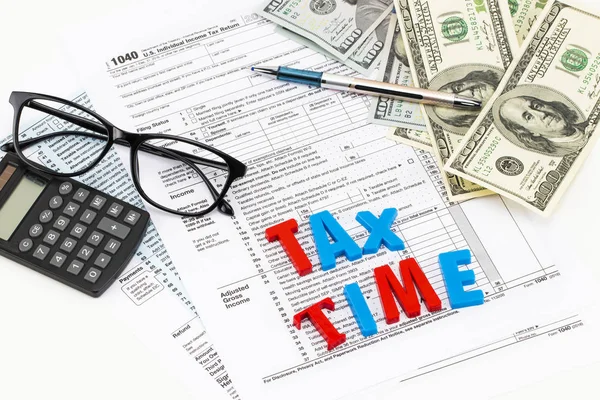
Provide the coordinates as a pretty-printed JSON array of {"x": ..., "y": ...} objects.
[{"x": 389, "y": 286}]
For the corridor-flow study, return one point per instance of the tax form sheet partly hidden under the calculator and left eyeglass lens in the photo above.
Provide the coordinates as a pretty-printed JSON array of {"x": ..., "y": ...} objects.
[{"x": 148, "y": 295}]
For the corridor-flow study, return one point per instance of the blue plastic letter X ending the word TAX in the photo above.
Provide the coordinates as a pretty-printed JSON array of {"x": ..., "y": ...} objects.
[{"x": 380, "y": 231}]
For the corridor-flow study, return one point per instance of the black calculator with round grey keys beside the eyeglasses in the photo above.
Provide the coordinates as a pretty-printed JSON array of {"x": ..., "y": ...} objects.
[{"x": 64, "y": 229}]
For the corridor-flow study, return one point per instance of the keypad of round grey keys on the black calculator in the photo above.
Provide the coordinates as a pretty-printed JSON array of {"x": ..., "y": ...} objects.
[{"x": 80, "y": 235}]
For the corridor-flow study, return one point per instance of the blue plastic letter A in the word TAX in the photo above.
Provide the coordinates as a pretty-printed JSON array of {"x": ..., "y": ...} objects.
[{"x": 322, "y": 224}]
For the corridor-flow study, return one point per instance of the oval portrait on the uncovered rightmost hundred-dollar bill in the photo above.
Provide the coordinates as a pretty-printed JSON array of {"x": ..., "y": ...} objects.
[{"x": 538, "y": 118}]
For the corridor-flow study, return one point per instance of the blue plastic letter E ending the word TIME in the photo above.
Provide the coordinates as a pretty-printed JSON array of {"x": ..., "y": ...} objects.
[{"x": 455, "y": 280}]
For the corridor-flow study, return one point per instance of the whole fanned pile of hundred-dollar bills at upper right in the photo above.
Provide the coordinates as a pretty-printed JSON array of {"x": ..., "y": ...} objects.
[{"x": 535, "y": 65}]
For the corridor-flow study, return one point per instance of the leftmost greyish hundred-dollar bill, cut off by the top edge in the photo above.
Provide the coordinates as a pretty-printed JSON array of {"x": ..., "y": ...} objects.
[{"x": 338, "y": 26}]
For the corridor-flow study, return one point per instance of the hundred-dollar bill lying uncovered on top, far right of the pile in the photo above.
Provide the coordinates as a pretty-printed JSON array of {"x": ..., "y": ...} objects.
[{"x": 535, "y": 132}]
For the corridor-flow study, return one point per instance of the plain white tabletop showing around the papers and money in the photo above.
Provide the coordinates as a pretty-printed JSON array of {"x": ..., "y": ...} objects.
[{"x": 56, "y": 343}]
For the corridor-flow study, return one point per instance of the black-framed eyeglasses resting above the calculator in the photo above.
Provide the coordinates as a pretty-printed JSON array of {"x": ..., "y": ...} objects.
[{"x": 235, "y": 168}]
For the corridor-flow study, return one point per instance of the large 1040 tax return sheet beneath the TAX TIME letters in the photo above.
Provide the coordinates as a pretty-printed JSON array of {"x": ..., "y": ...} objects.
[{"x": 310, "y": 150}]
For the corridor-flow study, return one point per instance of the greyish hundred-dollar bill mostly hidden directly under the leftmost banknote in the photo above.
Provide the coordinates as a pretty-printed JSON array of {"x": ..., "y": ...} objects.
[{"x": 364, "y": 60}]
